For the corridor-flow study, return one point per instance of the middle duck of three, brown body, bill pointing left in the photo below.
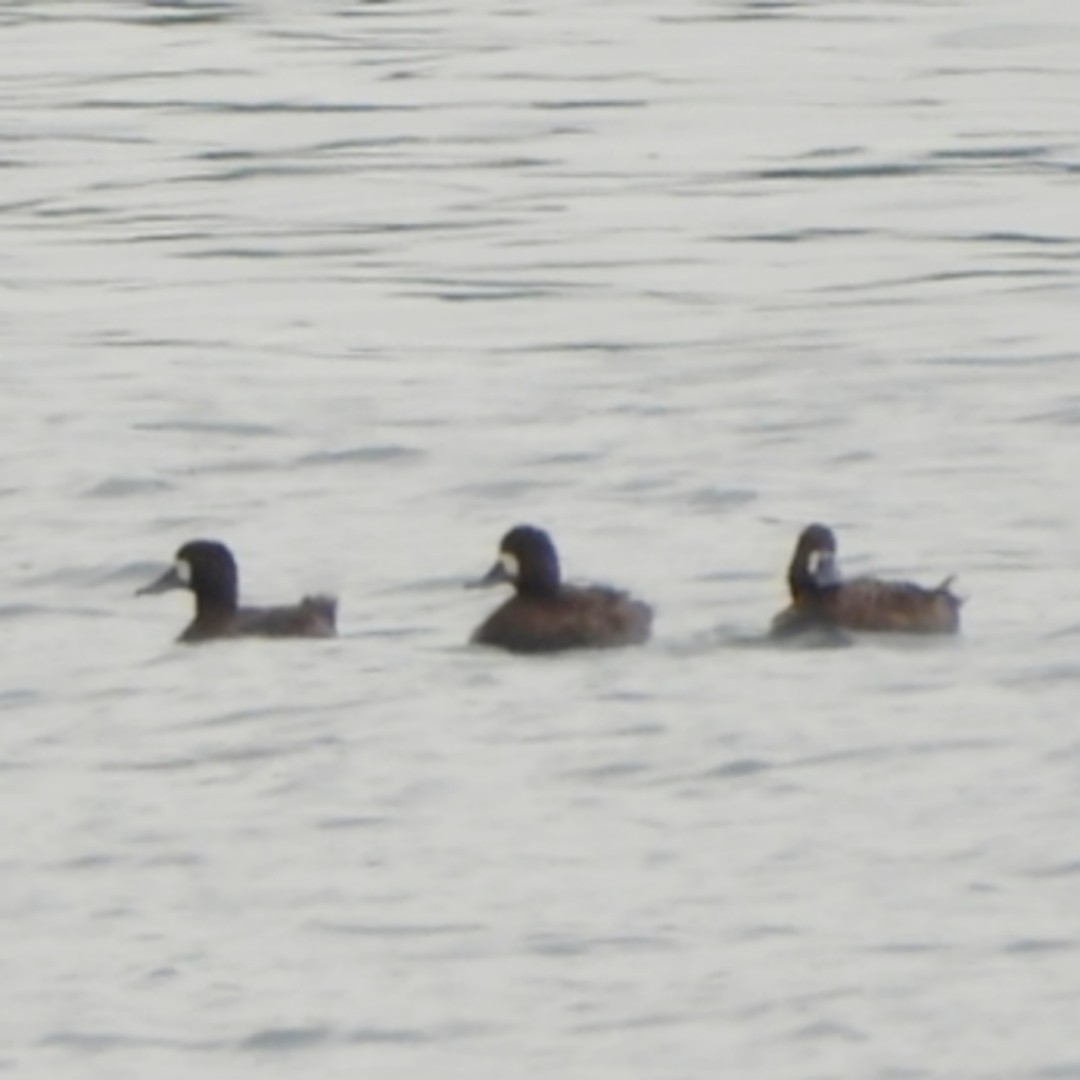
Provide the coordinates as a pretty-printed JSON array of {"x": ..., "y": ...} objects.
[{"x": 547, "y": 616}]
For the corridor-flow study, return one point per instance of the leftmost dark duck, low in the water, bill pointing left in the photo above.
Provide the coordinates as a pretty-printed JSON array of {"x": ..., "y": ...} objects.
[{"x": 208, "y": 569}]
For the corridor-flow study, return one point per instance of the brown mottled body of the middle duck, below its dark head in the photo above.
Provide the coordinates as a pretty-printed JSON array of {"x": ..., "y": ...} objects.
[{"x": 576, "y": 618}]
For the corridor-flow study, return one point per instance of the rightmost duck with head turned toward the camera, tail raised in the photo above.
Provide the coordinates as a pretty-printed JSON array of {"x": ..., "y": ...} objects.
[{"x": 823, "y": 599}]
